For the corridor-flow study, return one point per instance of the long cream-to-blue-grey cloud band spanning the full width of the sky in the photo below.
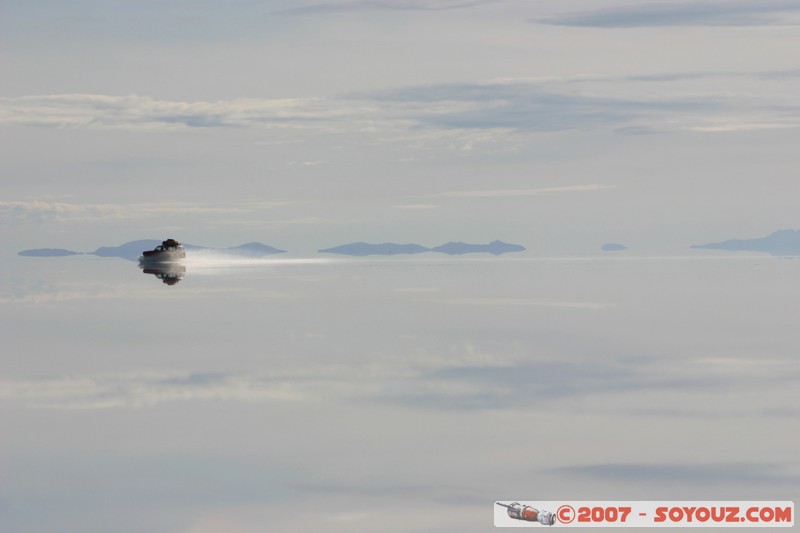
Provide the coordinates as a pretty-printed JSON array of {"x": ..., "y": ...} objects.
[{"x": 472, "y": 115}]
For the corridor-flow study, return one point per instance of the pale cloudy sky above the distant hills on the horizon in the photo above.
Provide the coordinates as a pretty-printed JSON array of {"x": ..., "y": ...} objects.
[{"x": 306, "y": 125}]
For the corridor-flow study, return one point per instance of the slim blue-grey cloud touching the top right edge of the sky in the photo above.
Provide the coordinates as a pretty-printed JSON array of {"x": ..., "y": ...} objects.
[{"x": 703, "y": 13}]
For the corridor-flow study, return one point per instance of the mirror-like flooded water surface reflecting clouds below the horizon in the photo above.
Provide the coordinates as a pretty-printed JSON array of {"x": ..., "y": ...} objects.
[{"x": 389, "y": 395}]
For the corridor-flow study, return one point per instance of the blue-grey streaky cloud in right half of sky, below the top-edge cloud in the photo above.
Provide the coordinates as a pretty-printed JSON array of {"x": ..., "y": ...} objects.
[{"x": 533, "y": 106}]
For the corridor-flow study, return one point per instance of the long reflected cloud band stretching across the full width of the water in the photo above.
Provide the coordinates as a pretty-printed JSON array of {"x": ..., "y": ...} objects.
[{"x": 472, "y": 381}]
